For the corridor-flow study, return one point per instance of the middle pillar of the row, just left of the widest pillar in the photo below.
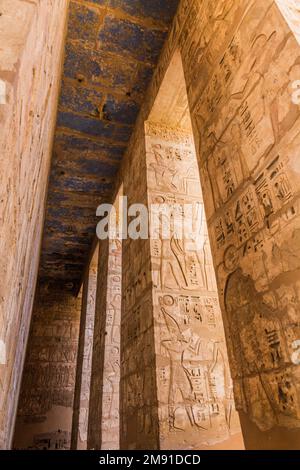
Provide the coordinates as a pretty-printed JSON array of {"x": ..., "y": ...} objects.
[{"x": 103, "y": 431}]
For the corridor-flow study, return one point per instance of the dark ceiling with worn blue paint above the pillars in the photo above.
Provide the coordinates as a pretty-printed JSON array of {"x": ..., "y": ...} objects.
[{"x": 112, "y": 49}]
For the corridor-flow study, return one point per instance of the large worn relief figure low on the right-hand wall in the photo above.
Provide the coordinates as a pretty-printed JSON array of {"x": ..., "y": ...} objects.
[{"x": 266, "y": 387}]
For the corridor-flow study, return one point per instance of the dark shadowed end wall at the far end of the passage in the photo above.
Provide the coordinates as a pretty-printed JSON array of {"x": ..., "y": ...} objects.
[{"x": 45, "y": 410}]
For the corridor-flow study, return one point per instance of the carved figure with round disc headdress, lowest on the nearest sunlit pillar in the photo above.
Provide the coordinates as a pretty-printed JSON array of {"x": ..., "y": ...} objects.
[{"x": 198, "y": 382}]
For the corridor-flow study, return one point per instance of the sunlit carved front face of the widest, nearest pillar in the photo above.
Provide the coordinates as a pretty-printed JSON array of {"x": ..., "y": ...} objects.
[{"x": 195, "y": 392}]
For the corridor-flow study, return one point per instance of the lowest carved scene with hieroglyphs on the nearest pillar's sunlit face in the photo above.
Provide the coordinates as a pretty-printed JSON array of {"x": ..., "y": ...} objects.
[{"x": 198, "y": 390}]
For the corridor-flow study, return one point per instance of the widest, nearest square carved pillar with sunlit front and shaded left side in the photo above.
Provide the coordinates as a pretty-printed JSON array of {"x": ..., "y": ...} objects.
[{"x": 176, "y": 389}]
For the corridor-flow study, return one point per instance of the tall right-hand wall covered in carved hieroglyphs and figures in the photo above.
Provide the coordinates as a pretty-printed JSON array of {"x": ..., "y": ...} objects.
[{"x": 249, "y": 130}]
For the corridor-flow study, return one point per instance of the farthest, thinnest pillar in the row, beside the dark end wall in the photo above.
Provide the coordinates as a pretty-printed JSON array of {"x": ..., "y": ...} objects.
[{"x": 84, "y": 359}]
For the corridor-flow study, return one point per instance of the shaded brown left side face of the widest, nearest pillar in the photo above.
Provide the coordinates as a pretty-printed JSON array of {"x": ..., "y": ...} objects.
[{"x": 138, "y": 397}]
